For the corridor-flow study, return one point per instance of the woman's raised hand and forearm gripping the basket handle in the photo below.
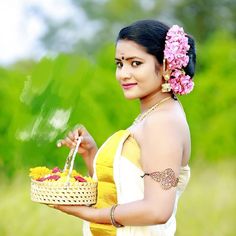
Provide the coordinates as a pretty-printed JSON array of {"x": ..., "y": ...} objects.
[{"x": 87, "y": 149}]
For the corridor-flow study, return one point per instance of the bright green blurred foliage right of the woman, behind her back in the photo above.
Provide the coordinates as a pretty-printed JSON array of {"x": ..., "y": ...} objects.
[{"x": 211, "y": 107}]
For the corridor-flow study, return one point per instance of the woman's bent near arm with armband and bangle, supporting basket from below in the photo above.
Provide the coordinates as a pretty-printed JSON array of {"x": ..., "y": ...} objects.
[{"x": 161, "y": 148}]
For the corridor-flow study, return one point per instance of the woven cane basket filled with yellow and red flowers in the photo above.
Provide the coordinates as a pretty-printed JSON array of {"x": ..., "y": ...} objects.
[{"x": 51, "y": 186}]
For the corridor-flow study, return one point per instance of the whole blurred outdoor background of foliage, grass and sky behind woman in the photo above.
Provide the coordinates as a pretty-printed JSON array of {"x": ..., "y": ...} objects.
[{"x": 68, "y": 77}]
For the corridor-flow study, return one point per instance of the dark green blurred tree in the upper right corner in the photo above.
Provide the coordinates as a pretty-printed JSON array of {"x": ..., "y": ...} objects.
[{"x": 203, "y": 18}]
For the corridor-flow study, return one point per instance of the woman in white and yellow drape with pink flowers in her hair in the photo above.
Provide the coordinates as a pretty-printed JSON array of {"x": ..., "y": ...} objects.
[{"x": 142, "y": 171}]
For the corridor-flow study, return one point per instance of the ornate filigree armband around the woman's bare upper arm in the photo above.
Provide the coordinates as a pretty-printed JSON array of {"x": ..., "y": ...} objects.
[{"x": 166, "y": 178}]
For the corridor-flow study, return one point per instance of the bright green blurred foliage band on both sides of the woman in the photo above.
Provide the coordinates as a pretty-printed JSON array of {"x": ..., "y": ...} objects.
[{"x": 40, "y": 102}]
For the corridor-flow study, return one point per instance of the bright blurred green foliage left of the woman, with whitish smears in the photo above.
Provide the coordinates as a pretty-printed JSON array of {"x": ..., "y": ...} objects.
[{"x": 40, "y": 104}]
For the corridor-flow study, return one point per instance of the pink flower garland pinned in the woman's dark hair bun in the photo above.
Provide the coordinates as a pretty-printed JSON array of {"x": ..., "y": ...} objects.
[{"x": 175, "y": 55}]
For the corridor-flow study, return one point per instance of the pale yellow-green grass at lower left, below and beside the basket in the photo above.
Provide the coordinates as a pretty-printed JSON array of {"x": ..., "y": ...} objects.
[{"x": 22, "y": 217}]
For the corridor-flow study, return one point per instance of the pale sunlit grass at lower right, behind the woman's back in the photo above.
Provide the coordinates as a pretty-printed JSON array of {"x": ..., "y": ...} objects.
[{"x": 207, "y": 208}]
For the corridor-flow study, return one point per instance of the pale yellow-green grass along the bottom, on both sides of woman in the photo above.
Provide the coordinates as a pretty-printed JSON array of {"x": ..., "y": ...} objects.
[{"x": 207, "y": 208}]
